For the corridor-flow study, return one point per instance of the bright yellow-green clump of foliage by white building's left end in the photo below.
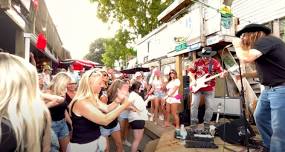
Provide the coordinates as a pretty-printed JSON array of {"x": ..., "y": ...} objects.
[{"x": 116, "y": 49}]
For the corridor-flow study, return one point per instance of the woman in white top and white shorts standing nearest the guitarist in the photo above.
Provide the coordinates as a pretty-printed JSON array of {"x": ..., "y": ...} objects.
[{"x": 172, "y": 100}]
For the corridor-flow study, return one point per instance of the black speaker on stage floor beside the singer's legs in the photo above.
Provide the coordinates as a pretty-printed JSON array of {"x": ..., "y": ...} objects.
[{"x": 234, "y": 132}]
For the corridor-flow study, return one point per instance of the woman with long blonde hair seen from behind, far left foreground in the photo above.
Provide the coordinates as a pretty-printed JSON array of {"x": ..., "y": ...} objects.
[{"x": 24, "y": 118}]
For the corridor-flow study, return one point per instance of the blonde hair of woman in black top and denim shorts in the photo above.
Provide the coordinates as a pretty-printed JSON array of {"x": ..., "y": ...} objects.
[{"x": 58, "y": 84}]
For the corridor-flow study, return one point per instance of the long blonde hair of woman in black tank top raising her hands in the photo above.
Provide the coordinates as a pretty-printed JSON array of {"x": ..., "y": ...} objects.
[{"x": 85, "y": 90}]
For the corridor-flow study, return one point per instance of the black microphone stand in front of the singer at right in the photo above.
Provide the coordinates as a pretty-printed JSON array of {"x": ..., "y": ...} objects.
[{"x": 242, "y": 110}]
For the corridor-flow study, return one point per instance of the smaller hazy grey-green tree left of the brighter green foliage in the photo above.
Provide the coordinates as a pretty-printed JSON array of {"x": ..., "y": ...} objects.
[{"x": 96, "y": 49}]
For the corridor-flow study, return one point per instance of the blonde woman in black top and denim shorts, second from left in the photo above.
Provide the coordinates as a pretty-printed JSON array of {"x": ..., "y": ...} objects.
[{"x": 58, "y": 86}]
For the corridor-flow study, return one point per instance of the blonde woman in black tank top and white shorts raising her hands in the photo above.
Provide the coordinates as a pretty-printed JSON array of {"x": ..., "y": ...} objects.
[{"x": 87, "y": 116}]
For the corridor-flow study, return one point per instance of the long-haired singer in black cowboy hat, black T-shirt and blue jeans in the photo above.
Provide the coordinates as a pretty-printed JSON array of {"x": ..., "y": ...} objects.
[{"x": 255, "y": 44}]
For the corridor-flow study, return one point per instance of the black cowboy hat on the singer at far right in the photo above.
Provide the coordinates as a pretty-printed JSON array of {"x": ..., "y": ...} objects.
[{"x": 254, "y": 28}]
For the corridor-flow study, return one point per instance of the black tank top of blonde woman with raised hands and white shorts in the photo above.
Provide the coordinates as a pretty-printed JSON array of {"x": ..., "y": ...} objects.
[{"x": 84, "y": 130}]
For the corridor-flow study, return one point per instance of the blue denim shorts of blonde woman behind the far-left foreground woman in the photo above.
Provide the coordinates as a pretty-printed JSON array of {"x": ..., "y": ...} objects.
[{"x": 60, "y": 128}]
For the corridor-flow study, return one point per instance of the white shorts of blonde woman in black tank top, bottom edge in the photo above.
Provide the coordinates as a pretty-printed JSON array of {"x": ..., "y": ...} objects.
[{"x": 98, "y": 145}]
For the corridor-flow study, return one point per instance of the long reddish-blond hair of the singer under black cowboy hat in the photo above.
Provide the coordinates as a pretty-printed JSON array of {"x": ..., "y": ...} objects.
[{"x": 248, "y": 39}]
